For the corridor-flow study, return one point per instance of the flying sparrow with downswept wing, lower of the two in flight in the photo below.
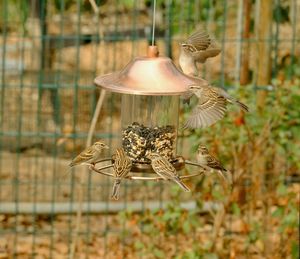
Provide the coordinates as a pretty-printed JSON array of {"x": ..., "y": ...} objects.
[{"x": 211, "y": 106}]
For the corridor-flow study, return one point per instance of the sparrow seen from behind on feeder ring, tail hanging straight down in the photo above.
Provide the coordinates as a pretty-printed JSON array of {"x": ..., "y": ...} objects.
[{"x": 122, "y": 166}]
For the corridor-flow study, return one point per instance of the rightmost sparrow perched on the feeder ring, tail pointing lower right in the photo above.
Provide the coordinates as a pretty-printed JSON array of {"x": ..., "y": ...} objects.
[{"x": 209, "y": 162}]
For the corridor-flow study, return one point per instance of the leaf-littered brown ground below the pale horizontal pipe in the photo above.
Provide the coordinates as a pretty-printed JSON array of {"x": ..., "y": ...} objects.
[{"x": 104, "y": 236}]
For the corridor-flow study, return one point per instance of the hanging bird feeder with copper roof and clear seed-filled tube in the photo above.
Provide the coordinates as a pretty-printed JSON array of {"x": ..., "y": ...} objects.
[{"x": 150, "y": 88}]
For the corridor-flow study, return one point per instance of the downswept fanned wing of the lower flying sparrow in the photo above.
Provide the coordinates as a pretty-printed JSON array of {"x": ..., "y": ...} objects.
[{"x": 211, "y": 107}]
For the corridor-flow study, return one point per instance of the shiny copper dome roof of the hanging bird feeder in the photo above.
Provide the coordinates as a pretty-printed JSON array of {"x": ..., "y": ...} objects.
[{"x": 150, "y": 75}]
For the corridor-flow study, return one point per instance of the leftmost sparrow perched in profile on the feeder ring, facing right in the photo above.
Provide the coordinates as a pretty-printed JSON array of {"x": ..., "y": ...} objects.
[{"x": 90, "y": 155}]
